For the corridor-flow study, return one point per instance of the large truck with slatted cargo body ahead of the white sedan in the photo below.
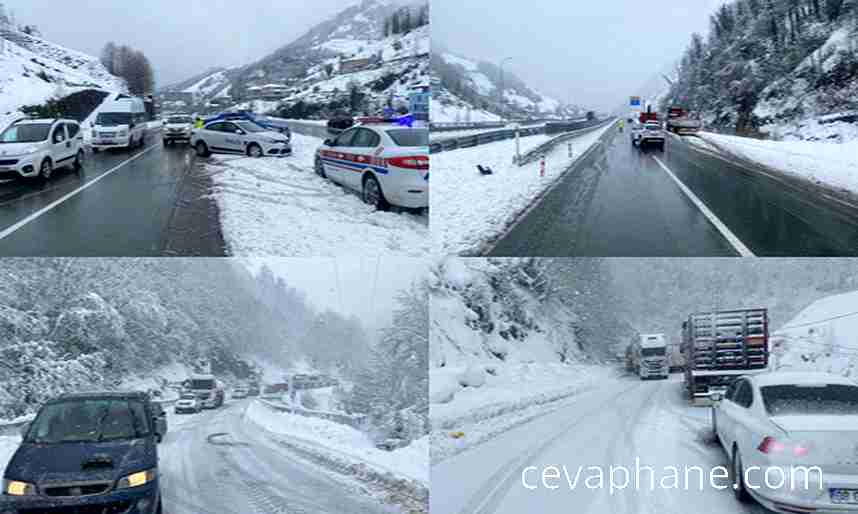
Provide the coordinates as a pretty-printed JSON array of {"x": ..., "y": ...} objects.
[{"x": 720, "y": 346}]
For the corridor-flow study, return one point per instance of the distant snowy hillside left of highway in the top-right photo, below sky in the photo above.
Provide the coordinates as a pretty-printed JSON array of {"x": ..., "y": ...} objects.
[{"x": 471, "y": 88}]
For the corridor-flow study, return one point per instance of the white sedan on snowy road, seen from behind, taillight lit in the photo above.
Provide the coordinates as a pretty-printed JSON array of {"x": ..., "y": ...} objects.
[{"x": 792, "y": 440}]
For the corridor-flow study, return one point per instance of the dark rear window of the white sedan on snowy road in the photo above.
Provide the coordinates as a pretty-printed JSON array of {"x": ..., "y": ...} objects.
[{"x": 808, "y": 400}]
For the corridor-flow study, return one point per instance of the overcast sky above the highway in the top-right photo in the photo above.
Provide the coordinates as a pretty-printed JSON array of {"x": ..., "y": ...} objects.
[{"x": 594, "y": 53}]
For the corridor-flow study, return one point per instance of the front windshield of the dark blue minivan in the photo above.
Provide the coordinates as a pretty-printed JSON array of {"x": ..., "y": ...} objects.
[{"x": 92, "y": 420}]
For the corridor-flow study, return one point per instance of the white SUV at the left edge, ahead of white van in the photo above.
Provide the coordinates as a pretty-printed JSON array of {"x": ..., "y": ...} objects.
[{"x": 35, "y": 147}]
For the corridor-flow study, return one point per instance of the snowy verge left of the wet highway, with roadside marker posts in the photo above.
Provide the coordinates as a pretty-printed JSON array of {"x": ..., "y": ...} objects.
[{"x": 469, "y": 209}]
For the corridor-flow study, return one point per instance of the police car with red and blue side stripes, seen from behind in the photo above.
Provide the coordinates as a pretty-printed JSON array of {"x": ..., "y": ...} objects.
[{"x": 386, "y": 162}]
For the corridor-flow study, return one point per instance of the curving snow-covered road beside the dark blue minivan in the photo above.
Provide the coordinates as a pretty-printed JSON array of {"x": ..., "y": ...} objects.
[{"x": 219, "y": 462}]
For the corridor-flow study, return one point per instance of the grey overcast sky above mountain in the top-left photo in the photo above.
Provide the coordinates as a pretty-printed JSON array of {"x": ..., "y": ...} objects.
[{"x": 181, "y": 37}]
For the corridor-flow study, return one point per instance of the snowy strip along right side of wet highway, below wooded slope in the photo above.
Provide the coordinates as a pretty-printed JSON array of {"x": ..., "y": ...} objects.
[{"x": 834, "y": 165}]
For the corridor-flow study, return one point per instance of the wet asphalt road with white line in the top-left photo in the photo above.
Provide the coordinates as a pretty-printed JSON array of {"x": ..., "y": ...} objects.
[{"x": 126, "y": 212}]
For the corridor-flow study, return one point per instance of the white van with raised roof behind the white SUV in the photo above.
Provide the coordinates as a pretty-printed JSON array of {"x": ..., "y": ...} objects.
[{"x": 122, "y": 124}]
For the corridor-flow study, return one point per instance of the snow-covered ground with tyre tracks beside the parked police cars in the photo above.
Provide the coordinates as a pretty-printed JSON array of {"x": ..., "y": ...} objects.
[{"x": 280, "y": 207}]
